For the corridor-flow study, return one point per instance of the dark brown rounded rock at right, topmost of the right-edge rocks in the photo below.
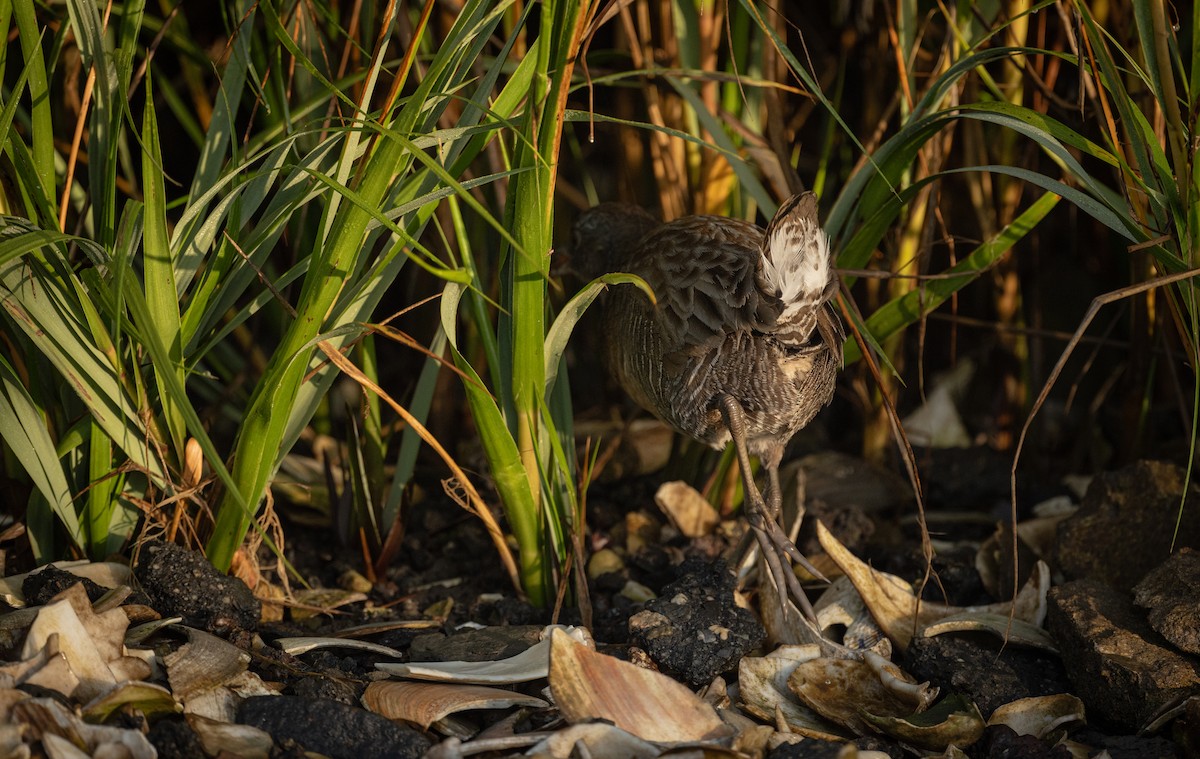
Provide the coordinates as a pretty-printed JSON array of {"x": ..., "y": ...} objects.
[{"x": 1125, "y": 525}]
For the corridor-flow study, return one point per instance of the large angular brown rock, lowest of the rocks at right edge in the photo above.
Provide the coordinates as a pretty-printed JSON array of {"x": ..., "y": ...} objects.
[{"x": 1121, "y": 668}]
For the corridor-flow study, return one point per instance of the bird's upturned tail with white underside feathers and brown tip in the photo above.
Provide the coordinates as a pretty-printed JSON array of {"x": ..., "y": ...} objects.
[{"x": 797, "y": 268}]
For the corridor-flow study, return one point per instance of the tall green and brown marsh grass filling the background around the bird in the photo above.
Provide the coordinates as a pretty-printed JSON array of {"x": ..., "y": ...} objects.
[{"x": 225, "y": 224}]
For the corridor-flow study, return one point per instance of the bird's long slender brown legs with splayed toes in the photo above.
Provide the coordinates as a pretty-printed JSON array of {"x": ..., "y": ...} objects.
[{"x": 772, "y": 541}]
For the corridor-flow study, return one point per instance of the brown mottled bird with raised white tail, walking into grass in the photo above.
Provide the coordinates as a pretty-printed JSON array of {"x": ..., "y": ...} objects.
[{"x": 741, "y": 345}]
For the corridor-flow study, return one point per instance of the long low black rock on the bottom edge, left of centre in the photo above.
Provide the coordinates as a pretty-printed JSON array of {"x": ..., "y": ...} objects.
[{"x": 332, "y": 728}]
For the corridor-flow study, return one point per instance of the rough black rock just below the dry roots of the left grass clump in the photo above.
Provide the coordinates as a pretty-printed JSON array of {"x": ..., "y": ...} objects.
[{"x": 183, "y": 583}]
